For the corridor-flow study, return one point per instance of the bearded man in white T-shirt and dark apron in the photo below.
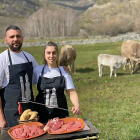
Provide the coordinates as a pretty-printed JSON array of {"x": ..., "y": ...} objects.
[{"x": 16, "y": 69}]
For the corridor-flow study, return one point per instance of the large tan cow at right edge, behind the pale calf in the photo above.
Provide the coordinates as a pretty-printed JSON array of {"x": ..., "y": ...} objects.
[{"x": 131, "y": 50}]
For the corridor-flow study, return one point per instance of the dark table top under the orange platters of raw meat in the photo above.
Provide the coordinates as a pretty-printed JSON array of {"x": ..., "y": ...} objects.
[{"x": 75, "y": 135}]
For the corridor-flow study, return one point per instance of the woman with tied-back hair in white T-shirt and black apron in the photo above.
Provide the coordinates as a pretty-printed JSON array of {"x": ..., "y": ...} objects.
[{"x": 51, "y": 81}]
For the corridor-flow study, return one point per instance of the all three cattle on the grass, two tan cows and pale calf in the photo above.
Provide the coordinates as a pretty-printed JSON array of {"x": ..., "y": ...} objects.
[{"x": 130, "y": 54}]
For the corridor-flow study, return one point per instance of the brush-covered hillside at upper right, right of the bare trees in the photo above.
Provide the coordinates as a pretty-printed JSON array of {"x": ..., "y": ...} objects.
[{"x": 112, "y": 17}]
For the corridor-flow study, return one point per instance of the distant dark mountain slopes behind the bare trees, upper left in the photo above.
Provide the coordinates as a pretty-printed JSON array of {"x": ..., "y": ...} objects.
[{"x": 18, "y": 12}]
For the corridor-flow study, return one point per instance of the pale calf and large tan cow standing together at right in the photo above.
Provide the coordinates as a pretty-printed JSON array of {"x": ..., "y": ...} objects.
[{"x": 130, "y": 51}]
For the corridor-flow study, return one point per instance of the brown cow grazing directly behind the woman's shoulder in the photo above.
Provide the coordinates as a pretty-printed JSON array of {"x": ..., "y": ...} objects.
[{"x": 67, "y": 57}]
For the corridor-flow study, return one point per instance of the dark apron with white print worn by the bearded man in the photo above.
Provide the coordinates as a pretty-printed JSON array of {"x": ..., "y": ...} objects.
[{"x": 18, "y": 88}]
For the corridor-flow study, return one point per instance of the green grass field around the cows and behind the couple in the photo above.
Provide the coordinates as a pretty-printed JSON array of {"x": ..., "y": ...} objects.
[{"x": 112, "y": 105}]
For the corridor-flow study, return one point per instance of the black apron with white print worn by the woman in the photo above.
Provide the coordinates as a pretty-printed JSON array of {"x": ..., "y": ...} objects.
[{"x": 51, "y": 92}]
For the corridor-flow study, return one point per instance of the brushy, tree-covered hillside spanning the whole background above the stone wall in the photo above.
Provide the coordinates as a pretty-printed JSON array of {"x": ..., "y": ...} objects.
[{"x": 66, "y": 18}]
